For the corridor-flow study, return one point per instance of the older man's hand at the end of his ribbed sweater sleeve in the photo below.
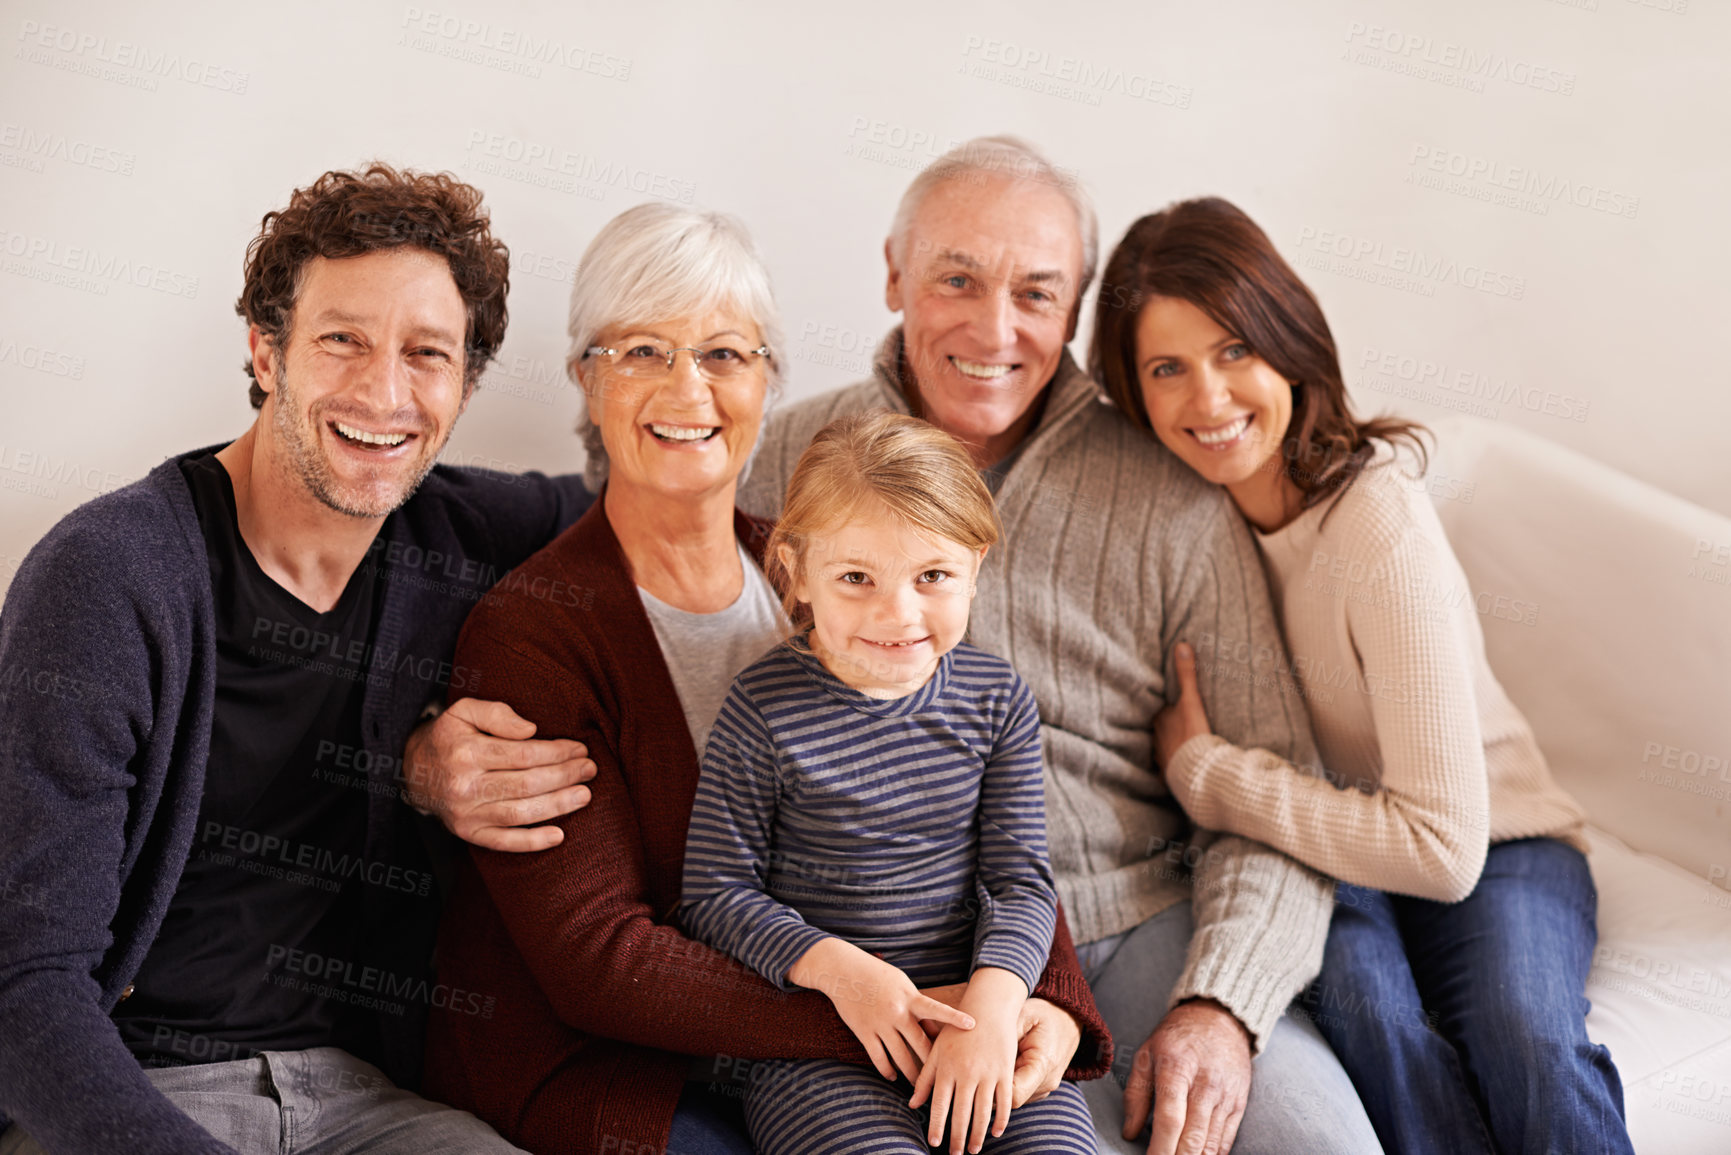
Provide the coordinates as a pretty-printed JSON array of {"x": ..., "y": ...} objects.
[{"x": 1195, "y": 1073}]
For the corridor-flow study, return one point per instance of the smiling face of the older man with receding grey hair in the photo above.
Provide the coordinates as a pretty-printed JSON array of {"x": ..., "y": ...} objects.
[{"x": 988, "y": 283}]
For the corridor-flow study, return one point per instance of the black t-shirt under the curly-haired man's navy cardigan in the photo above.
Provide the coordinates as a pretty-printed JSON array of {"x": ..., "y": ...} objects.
[{"x": 269, "y": 908}]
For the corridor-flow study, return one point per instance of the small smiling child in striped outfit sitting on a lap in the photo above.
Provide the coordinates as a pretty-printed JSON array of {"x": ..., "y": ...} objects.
[{"x": 872, "y": 815}]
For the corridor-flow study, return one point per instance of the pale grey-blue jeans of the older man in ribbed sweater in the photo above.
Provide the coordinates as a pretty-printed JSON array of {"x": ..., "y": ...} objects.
[{"x": 1301, "y": 1099}]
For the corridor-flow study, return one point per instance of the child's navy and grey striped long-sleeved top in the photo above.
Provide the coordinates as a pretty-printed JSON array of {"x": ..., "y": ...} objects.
[{"x": 913, "y": 829}]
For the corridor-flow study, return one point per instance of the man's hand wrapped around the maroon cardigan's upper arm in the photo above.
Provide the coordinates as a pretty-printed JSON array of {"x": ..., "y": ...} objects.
[{"x": 479, "y": 768}]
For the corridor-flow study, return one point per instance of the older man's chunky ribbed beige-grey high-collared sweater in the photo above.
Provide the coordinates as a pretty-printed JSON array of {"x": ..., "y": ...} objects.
[{"x": 1114, "y": 553}]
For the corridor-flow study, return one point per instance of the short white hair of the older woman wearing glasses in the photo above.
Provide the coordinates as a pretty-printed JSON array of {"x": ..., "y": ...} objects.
[{"x": 657, "y": 262}]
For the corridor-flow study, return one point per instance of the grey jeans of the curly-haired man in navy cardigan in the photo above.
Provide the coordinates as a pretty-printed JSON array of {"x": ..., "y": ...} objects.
[{"x": 319, "y": 1102}]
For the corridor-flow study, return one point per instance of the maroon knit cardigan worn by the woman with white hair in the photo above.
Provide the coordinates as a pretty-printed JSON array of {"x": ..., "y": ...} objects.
[{"x": 574, "y": 1003}]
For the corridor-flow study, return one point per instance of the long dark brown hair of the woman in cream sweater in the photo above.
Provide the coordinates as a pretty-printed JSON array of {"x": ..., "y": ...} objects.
[{"x": 1207, "y": 252}]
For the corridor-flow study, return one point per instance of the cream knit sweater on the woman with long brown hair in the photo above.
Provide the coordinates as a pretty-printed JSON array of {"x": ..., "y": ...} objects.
[{"x": 1427, "y": 759}]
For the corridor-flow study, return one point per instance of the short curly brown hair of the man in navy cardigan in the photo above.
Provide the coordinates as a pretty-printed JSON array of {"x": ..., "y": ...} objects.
[{"x": 347, "y": 214}]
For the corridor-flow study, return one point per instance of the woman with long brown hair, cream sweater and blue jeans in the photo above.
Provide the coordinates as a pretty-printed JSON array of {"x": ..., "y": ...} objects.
[{"x": 1453, "y": 983}]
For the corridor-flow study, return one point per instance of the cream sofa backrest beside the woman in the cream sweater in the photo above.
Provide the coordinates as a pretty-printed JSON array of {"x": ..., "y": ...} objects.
[{"x": 1607, "y": 614}]
